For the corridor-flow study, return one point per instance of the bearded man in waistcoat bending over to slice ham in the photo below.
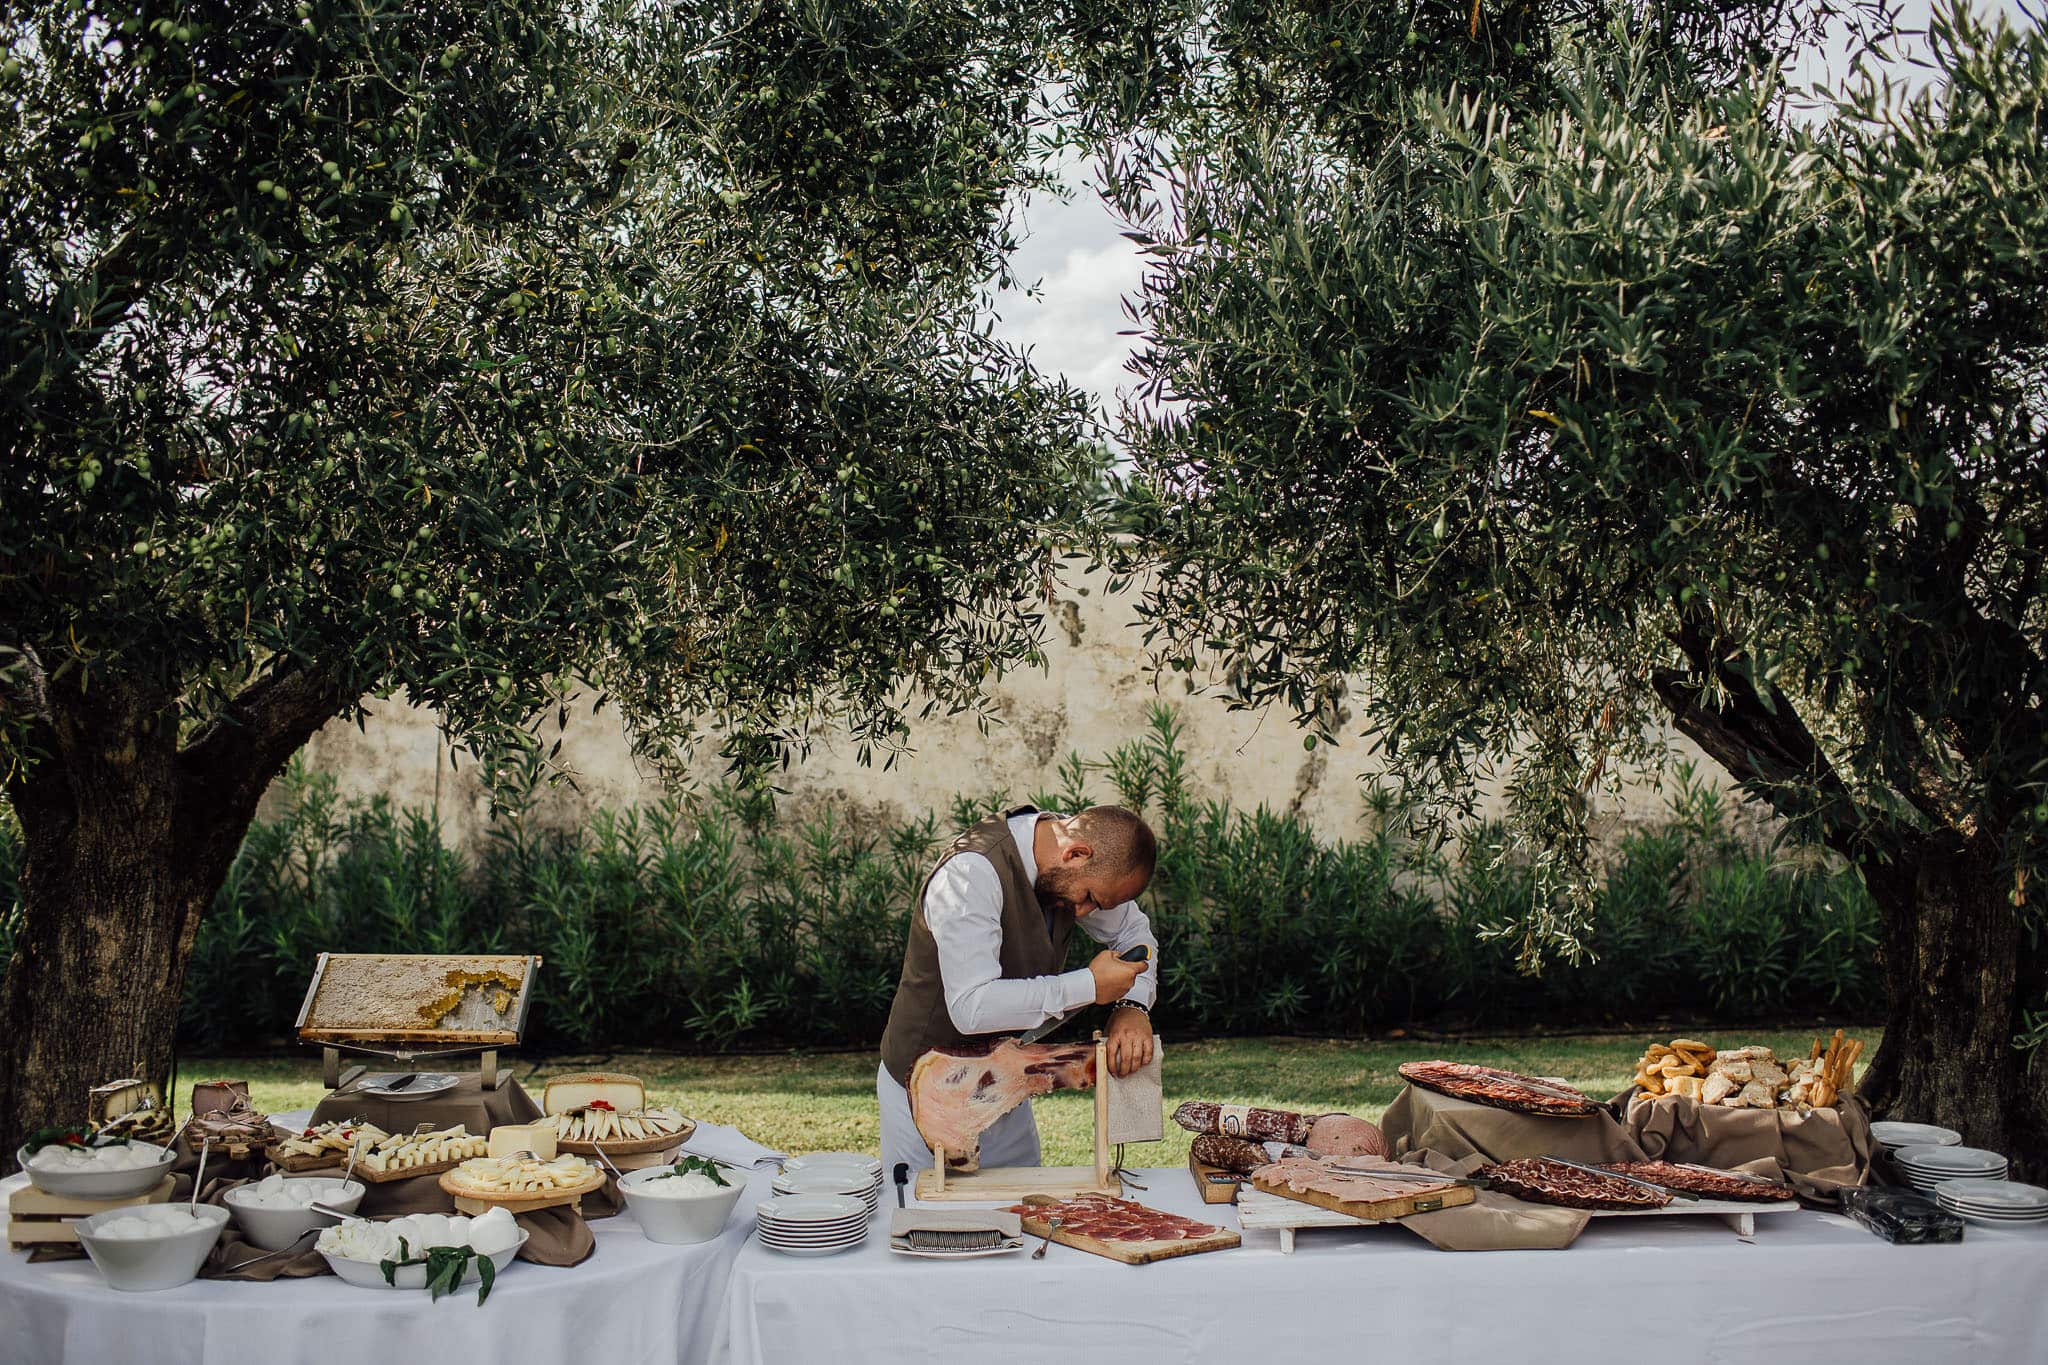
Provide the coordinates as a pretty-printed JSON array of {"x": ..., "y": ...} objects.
[{"x": 986, "y": 951}]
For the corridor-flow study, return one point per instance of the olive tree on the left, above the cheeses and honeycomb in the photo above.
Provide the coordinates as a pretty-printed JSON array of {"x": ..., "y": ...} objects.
[{"x": 490, "y": 351}]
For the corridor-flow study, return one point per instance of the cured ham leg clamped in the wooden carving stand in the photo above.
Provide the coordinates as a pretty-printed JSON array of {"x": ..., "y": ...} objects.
[{"x": 957, "y": 1094}]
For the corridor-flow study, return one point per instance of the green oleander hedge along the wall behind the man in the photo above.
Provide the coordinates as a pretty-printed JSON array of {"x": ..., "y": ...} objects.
[{"x": 720, "y": 920}]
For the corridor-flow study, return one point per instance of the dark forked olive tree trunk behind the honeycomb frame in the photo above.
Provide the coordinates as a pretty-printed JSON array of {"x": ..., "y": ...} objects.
[{"x": 126, "y": 842}]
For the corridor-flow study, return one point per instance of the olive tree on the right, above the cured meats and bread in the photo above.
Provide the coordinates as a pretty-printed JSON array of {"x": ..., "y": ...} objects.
[{"x": 1568, "y": 378}]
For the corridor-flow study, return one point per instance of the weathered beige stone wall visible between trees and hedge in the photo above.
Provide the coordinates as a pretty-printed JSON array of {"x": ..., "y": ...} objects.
[{"x": 1091, "y": 699}]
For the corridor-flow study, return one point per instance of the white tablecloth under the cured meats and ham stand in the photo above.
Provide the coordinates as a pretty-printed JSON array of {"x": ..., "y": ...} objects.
[{"x": 1633, "y": 1290}]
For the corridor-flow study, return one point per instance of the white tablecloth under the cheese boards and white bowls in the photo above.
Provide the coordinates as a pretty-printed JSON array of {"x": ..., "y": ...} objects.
[{"x": 632, "y": 1303}]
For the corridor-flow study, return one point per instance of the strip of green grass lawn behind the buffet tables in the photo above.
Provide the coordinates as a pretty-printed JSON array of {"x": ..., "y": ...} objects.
[{"x": 826, "y": 1102}]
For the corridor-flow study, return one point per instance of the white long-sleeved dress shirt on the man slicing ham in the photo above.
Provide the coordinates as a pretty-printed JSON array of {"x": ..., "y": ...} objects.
[{"x": 964, "y": 906}]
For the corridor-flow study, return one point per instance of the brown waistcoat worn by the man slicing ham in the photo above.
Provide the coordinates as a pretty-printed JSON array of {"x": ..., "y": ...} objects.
[{"x": 919, "y": 1018}]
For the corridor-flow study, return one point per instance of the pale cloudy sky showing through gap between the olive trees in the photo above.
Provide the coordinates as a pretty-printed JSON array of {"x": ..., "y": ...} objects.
[{"x": 1086, "y": 269}]
